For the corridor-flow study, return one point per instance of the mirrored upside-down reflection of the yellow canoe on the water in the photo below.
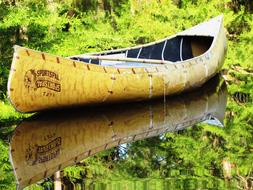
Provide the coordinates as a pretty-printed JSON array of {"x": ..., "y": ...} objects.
[{"x": 48, "y": 143}]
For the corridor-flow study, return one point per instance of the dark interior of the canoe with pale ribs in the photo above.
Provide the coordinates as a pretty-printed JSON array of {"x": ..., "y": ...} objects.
[{"x": 179, "y": 48}]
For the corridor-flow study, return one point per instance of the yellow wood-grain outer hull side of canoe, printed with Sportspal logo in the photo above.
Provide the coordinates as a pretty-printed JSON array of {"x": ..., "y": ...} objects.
[{"x": 40, "y": 81}]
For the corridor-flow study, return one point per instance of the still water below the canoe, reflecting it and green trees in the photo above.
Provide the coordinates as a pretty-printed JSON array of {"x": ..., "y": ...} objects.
[{"x": 174, "y": 143}]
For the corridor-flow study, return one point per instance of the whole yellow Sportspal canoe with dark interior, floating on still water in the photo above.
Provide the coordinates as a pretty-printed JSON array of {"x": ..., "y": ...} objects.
[{"x": 184, "y": 61}]
